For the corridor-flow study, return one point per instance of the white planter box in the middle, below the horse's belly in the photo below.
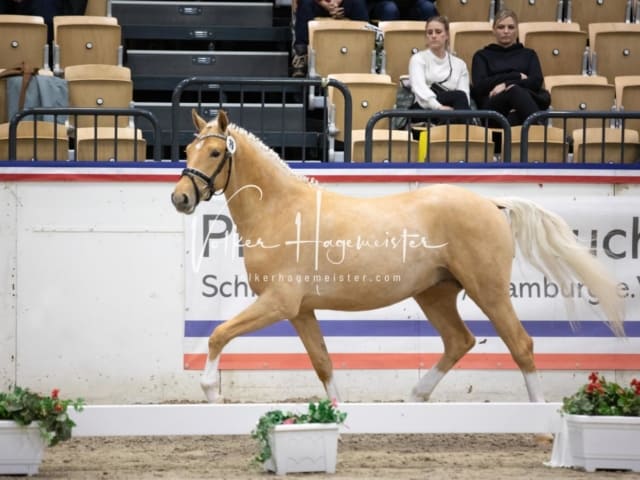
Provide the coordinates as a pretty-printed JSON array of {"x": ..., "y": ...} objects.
[{"x": 309, "y": 447}]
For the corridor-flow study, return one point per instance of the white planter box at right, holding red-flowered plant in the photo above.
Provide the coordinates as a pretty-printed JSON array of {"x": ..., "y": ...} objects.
[{"x": 605, "y": 442}]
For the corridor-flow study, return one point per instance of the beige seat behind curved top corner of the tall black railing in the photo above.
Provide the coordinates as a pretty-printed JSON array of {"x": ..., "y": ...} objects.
[{"x": 370, "y": 93}]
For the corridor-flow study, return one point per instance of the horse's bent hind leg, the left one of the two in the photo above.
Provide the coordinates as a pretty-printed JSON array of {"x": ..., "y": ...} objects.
[{"x": 439, "y": 305}]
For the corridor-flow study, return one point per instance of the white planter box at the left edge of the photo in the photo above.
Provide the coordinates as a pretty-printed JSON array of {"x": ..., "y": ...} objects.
[{"x": 21, "y": 448}]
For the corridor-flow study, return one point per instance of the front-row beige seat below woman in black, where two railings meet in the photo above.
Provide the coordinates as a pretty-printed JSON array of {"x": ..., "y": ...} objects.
[{"x": 556, "y": 143}]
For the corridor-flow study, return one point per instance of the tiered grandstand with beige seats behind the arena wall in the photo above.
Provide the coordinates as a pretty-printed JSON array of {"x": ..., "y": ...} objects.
[{"x": 163, "y": 58}]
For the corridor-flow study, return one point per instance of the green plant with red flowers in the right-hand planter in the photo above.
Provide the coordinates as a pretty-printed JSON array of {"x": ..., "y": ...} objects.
[{"x": 599, "y": 397}]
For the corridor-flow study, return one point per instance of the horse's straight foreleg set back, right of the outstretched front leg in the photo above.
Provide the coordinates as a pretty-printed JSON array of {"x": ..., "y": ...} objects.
[{"x": 308, "y": 329}]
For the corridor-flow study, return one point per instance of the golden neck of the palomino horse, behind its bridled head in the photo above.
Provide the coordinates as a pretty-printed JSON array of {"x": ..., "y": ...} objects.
[{"x": 259, "y": 183}]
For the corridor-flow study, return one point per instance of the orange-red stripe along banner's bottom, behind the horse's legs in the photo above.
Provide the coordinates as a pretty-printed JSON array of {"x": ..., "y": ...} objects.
[{"x": 393, "y": 361}]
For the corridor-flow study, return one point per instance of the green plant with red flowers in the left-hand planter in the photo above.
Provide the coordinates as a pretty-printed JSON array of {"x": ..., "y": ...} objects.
[{"x": 23, "y": 407}]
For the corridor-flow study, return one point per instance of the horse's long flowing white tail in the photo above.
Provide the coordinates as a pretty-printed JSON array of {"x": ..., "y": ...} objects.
[{"x": 549, "y": 244}]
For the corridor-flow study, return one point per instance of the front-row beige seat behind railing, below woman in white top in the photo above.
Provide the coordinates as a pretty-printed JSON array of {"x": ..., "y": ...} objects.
[{"x": 457, "y": 143}]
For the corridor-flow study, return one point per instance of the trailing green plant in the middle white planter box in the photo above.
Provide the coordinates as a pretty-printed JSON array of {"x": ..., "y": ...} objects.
[{"x": 324, "y": 411}]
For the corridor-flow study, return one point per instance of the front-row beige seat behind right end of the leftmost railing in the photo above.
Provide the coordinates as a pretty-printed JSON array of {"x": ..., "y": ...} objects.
[{"x": 112, "y": 144}]
